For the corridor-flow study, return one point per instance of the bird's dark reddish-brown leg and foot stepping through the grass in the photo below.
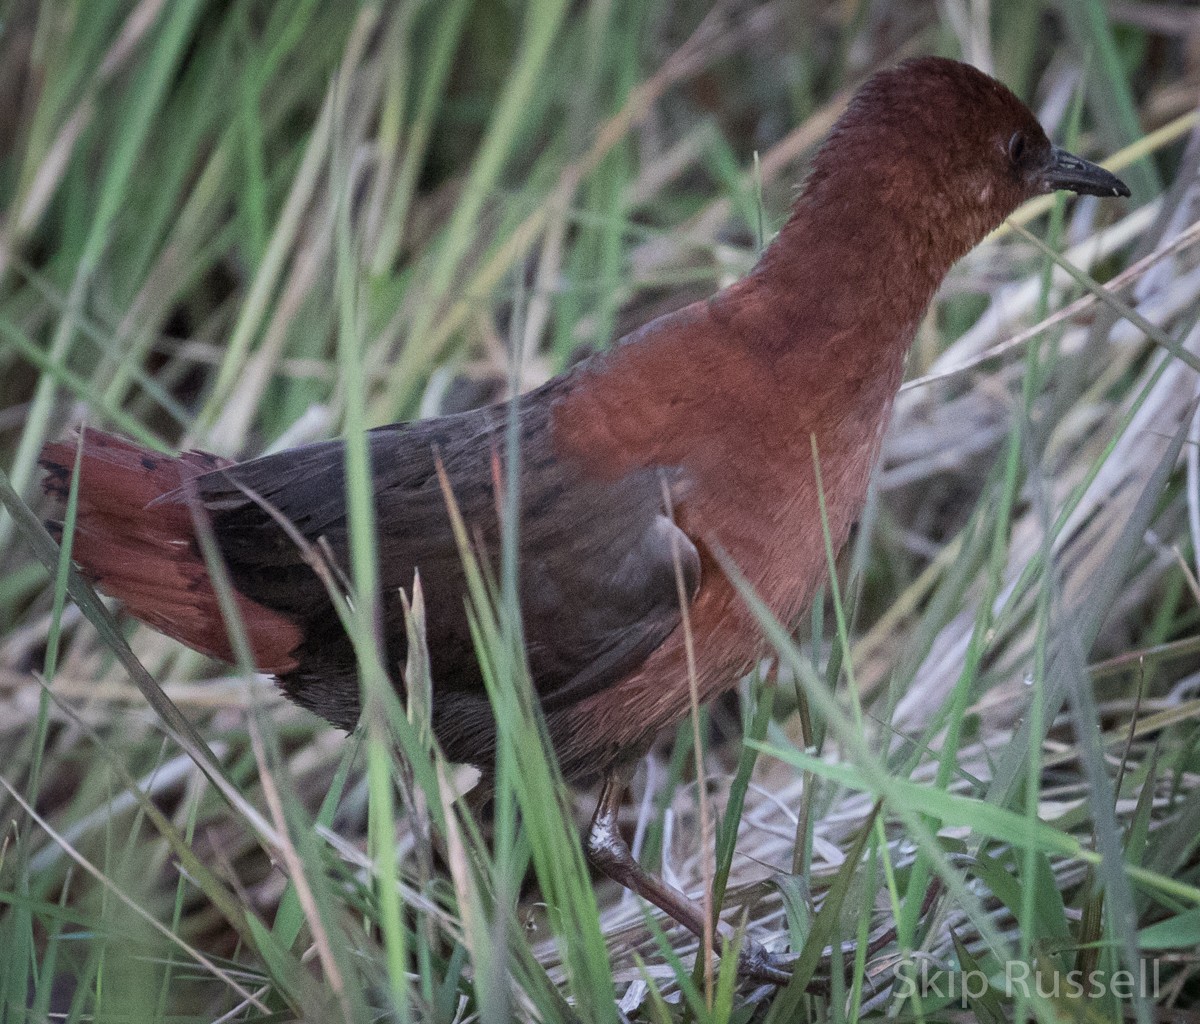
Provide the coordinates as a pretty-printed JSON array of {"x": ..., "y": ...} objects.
[{"x": 609, "y": 854}]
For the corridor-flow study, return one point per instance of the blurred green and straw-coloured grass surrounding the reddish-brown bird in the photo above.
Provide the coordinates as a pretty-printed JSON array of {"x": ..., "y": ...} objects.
[{"x": 243, "y": 226}]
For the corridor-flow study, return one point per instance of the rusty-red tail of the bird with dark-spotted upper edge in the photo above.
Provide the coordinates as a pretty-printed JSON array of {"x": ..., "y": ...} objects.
[{"x": 135, "y": 538}]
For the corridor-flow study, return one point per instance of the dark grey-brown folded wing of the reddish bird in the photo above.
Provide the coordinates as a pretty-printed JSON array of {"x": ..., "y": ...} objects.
[{"x": 598, "y": 559}]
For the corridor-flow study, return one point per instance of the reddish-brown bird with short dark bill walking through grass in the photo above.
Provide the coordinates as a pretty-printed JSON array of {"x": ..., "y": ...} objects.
[{"x": 646, "y": 471}]
